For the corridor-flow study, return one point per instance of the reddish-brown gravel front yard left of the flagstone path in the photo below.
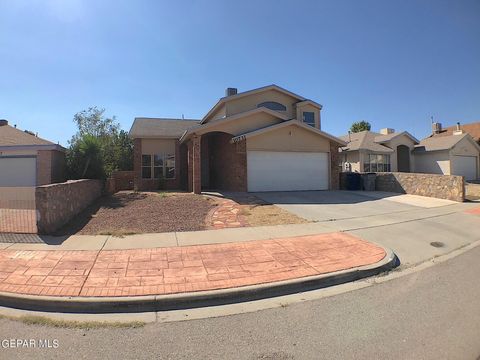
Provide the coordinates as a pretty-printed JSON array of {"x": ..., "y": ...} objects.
[{"x": 129, "y": 212}]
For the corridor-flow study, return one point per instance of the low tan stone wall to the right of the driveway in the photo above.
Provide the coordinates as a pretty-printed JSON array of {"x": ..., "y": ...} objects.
[{"x": 448, "y": 187}]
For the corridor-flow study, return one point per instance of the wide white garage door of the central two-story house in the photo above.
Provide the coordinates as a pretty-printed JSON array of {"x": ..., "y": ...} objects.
[{"x": 287, "y": 171}]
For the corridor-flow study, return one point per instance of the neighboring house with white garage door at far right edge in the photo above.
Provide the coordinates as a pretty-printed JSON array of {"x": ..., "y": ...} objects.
[{"x": 455, "y": 154}]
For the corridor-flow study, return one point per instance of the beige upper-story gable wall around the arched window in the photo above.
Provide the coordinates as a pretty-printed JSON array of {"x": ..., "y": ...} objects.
[{"x": 250, "y": 102}]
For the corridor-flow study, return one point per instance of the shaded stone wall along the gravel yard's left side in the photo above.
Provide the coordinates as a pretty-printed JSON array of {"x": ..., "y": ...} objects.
[{"x": 59, "y": 203}]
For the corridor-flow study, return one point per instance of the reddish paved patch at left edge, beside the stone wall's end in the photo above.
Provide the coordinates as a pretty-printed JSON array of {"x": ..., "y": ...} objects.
[{"x": 18, "y": 221}]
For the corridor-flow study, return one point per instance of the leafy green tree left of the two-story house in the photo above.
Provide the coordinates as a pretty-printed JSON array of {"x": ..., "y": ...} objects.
[{"x": 99, "y": 147}]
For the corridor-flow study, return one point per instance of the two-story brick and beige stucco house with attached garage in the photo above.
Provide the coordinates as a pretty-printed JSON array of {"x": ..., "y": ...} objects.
[{"x": 265, "y": 139}]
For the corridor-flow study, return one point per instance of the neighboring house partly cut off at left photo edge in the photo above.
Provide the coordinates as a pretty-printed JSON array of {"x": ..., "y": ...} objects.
[{"x": 27, "y": 160}]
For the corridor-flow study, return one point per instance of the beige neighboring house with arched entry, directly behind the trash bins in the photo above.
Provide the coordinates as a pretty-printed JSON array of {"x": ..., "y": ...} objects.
[{"x": 368, "y": 151}]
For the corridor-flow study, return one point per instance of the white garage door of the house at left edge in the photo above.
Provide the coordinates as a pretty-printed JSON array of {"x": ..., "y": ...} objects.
[{"x": 18, "y": 171}]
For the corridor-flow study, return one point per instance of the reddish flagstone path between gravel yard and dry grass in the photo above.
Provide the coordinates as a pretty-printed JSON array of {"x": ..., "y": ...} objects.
[{"x": 226, "y": 215}]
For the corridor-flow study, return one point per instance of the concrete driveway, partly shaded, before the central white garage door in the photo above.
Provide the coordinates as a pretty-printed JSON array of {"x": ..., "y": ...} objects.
[{"x": 337, "y": 205}]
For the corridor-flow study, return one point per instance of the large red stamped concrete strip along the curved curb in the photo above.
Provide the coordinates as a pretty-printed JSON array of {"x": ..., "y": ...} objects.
[{"x": 180, "y": 269}]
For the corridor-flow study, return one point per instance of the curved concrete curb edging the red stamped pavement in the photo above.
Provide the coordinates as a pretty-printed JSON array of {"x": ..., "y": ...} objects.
[{"x": 182, "y": 301}]
